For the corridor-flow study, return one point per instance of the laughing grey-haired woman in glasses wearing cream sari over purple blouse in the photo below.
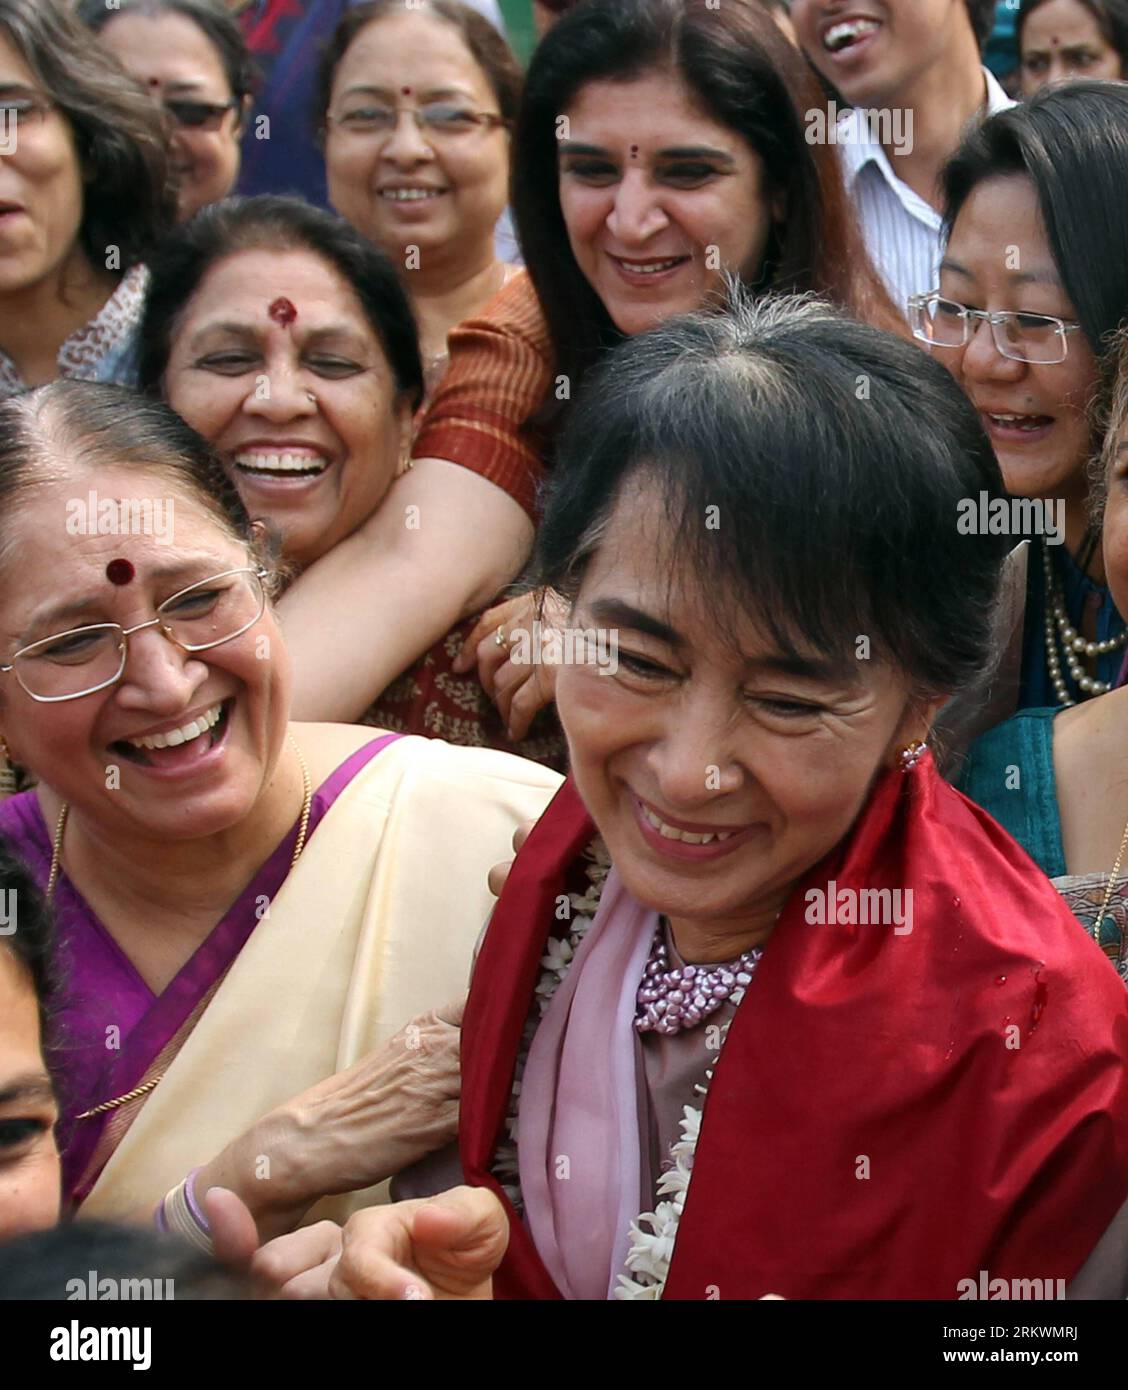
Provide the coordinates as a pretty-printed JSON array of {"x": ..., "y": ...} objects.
[{"x": 248, "y": 911}]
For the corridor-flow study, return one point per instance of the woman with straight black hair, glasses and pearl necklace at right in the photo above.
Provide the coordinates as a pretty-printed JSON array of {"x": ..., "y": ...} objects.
[{"x": 1037, "y": 211}]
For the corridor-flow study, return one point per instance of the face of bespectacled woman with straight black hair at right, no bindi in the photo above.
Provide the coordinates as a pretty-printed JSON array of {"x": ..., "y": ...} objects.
[{"x": 1037, "y": 416}]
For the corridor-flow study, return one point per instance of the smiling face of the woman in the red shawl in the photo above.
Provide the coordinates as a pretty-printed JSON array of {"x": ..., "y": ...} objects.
[{"x": 794, "y": 749}]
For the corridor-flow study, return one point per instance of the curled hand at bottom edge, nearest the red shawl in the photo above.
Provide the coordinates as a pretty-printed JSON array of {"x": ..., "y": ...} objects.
[{"x": 441, "y": 1248}]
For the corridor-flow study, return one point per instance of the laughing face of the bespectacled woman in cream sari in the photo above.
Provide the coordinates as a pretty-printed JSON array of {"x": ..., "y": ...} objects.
[{"x": 195, "y": 737}]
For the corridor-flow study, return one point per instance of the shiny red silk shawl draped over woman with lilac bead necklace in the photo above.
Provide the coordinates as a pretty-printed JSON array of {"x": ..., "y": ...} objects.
[{"x": 869, "y": 1134}]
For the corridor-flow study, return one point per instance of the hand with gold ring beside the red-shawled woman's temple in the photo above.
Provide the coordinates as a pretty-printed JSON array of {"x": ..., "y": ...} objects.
[{"x": 520, "y": 687}]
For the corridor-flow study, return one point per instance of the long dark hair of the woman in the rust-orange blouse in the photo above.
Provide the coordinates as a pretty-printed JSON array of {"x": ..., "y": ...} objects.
[{"x": 747, "y": 76}]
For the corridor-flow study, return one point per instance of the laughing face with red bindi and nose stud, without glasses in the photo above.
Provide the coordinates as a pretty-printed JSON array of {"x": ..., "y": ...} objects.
[{"x": 316, "y": 469}]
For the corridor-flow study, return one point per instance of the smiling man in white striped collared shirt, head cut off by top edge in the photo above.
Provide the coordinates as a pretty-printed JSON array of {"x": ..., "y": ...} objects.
[{"x": 913, "y": 70}]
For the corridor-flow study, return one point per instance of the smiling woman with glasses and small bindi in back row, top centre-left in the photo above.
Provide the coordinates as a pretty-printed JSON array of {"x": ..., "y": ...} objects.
[{"x": 416, "y": 111}]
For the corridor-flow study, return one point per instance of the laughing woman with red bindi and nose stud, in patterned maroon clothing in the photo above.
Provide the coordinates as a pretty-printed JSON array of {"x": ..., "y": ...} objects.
[{"x": 315, "y": 451}]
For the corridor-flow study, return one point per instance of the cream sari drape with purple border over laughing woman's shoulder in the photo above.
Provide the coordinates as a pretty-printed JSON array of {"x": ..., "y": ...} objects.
[{"x": 376, "y": 925}]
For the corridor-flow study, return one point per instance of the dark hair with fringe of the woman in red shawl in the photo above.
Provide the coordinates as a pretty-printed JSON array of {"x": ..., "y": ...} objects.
[{"x": 812, "y": 471}]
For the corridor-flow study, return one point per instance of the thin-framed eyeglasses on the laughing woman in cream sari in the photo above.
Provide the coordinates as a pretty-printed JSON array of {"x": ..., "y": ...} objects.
[{"x": 87, "y": 660}]
